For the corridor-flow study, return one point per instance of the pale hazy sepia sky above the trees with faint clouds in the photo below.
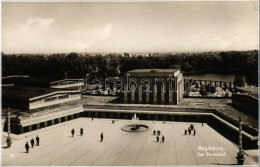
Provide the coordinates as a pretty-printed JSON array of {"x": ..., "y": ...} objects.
[{"x": 129, "y": 27}]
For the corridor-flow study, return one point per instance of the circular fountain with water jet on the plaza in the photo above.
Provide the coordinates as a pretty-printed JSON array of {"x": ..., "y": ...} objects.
[{"x": 135, "y": 126}]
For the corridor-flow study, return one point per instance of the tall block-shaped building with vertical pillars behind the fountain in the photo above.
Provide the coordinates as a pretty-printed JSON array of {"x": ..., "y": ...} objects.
[{"x": 153, "y": 86}]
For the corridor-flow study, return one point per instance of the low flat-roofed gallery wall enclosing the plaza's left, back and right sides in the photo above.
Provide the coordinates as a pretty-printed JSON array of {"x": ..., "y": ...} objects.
[{"x": 224, "y": 127}]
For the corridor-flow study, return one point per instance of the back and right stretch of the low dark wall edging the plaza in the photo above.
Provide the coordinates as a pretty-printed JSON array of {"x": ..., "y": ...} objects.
[{"x": 225, "y": 128}]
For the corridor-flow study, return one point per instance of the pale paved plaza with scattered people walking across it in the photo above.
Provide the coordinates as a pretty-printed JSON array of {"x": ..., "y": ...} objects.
[{"x": 120, "y": 148}]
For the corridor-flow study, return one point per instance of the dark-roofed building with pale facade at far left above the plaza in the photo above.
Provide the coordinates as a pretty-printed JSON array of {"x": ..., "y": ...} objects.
[{"x": 28, "y": 98}]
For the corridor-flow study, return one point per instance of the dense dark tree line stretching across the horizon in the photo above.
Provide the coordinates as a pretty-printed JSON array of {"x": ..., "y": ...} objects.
[{"x": 243, "y": 63}]
